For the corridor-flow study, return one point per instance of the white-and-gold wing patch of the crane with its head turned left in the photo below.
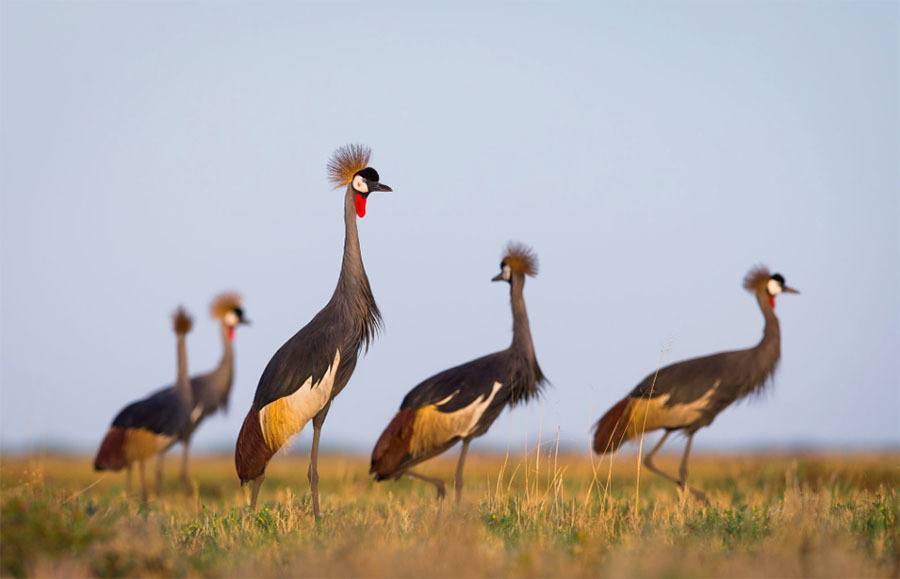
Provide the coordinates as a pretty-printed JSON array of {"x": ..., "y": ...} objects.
[{"x": 434, "y": 426}]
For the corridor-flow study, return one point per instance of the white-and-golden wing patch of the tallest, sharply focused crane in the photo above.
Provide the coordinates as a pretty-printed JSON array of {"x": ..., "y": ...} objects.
[{"x": 285, "y": 417}]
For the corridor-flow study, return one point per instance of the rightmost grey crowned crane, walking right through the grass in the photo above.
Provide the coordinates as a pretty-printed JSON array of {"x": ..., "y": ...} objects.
[{"x": 688, "y": 395}]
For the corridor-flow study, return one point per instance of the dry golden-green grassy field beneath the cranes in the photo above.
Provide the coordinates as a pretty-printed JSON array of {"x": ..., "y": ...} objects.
[{"x": 819, "y": 515}]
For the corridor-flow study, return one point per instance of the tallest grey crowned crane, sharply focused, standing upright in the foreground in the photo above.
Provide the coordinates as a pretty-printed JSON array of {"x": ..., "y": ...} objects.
[{"x": 312, "y": 367}]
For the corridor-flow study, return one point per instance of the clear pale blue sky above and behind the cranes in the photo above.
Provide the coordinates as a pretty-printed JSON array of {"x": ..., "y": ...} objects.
[{"x": 154, "y": 154}]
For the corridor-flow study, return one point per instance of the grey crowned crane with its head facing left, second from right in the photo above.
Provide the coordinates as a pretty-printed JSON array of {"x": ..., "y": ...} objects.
[{"x": 461, "y": 403}]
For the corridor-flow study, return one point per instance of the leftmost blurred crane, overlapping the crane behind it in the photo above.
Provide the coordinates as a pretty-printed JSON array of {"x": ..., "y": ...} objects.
[{"x": 150, "y": 426}]
